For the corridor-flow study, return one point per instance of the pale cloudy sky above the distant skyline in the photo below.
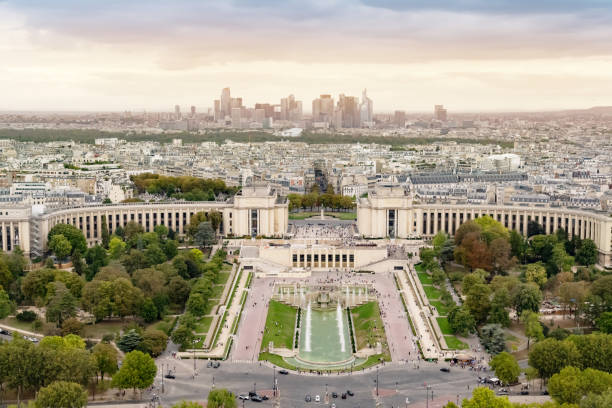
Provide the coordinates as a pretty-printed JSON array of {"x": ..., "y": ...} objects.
[{"x": 470, "y": 55}]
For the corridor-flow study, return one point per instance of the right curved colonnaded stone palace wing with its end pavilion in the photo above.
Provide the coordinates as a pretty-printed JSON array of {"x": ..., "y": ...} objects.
[{"x": 389, "y": 211}]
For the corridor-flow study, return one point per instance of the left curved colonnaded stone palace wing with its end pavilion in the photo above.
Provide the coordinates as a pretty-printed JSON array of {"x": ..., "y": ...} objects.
[{"x": 255, "y": 211}]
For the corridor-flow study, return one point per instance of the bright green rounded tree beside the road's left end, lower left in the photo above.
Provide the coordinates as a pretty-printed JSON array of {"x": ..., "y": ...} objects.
[{"x": 138, "y": 370}]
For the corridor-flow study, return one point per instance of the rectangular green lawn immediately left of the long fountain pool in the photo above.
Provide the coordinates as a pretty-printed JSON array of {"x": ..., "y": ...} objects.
[{"x": 280, "y": 325}]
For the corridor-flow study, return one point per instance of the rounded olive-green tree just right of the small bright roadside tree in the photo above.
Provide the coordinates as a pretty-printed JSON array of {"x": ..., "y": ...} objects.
[{"x": 549, "y": 356}]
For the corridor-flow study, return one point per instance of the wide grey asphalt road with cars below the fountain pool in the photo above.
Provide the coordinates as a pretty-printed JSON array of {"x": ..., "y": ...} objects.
[{"x": 241, "y": 378}]
